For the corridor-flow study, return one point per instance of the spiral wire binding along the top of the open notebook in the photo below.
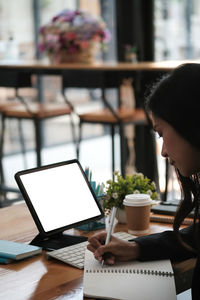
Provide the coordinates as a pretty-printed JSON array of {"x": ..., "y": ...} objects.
[{"x": 131, "y": 271}]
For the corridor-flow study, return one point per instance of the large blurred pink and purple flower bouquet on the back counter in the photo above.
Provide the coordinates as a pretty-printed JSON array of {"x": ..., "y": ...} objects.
[{"x": 73, "y": 32}]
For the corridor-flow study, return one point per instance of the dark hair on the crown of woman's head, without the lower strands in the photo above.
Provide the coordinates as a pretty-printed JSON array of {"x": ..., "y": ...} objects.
[{"x": 176, "y": 99}]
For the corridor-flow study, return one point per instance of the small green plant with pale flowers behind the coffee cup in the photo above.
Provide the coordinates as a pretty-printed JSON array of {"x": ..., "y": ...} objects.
[{"x": 117, "y": 189}]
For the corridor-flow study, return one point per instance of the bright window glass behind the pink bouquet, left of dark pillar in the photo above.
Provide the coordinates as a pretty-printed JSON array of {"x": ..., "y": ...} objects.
[{"x": 18, "y": 27}]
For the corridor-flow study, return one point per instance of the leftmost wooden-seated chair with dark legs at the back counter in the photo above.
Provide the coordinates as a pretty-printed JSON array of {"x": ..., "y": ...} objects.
[{"x": 36, "y": 112}]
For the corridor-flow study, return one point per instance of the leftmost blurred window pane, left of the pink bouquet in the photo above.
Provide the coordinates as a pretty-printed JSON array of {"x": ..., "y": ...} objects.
[{"x": 15, "y": 41}]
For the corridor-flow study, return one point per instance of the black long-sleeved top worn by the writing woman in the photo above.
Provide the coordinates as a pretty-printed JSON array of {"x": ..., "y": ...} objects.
[{"x": 165, "y": 245}]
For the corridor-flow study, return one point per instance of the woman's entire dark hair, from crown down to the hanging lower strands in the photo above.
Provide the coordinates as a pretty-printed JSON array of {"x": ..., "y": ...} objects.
[{"x": 176, "y": 99}]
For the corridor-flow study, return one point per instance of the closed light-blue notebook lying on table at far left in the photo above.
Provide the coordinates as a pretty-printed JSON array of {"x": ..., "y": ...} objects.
[{"x": 16, "y": 251}]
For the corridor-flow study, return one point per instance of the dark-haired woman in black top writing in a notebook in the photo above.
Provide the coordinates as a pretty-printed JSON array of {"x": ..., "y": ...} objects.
[{"x": 174, "y": 107}]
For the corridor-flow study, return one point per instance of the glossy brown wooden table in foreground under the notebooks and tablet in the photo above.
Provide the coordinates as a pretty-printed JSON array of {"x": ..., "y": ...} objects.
[{"x": 37, "y": 277}]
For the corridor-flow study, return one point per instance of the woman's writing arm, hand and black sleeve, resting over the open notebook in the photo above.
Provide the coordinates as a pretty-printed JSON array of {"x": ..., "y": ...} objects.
[{"x": 151, "y": 247}]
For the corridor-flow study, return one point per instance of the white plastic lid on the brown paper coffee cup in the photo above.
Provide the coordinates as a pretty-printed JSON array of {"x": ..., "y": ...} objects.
[{"x": 137, "y": 200}]
